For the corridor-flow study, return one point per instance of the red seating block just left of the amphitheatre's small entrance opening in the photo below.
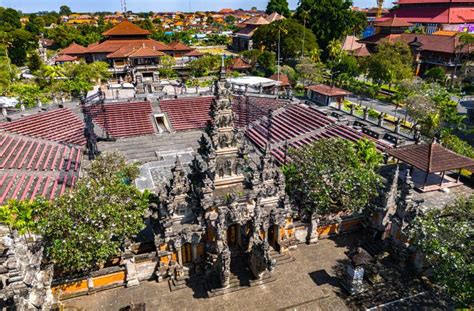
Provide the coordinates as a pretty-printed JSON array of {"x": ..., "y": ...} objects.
[{"x": 125, "y": 119}]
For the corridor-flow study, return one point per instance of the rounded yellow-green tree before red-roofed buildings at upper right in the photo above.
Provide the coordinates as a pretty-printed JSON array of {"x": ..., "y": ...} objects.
[{"x": 390, "y": 64}]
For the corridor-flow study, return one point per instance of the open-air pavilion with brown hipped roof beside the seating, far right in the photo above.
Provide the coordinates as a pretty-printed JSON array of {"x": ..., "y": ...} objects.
[{"x": 429, "y": 164}]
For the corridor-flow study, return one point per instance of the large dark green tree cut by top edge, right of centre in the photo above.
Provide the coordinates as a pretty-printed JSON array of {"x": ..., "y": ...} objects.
[{"x": 330, "y": 19}]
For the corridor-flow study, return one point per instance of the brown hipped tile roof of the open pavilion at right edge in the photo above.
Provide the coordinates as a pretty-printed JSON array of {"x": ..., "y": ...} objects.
[{"x": 430, "y": 158}]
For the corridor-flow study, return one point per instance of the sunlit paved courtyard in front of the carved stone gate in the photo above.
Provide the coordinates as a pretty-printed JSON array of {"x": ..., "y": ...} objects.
[{"x": 309, "y": 283}]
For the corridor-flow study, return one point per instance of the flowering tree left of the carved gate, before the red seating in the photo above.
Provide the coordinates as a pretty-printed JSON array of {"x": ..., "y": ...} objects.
[{"x": 83, "y": 229}]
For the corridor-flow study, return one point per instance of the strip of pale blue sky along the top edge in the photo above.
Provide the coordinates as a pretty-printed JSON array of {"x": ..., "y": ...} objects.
[{"x": 147, "y": 5}]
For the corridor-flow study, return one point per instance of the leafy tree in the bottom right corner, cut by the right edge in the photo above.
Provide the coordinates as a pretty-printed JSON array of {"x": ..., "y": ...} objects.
[{"x": 445, "y": 238}]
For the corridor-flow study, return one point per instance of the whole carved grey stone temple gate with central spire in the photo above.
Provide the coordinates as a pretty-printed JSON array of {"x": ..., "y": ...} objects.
[{"x": 231, "y": 206}]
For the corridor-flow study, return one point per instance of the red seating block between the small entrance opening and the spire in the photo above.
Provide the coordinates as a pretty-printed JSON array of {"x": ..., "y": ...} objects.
[{"x": 187, "y": 113}]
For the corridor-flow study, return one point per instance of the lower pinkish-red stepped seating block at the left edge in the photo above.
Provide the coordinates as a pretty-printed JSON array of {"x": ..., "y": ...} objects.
[{"x": 30, "y": 168}]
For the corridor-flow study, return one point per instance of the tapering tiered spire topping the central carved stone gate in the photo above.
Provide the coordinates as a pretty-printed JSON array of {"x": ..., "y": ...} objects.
[{"x": 224, "y": 160}]
